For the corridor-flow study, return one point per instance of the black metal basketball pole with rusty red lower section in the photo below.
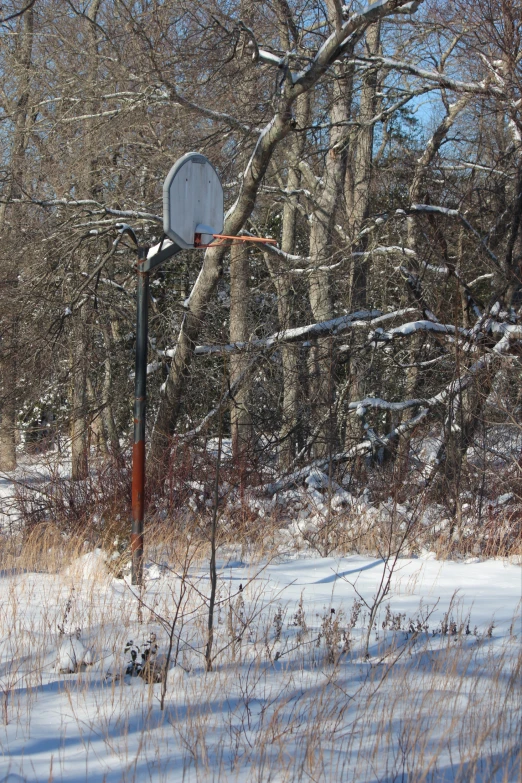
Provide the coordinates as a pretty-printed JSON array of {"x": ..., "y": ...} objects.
[{"x": 140, "y": 397}]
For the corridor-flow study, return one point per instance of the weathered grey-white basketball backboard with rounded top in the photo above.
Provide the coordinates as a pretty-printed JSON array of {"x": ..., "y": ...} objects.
[{"x": 192, "y": 198}]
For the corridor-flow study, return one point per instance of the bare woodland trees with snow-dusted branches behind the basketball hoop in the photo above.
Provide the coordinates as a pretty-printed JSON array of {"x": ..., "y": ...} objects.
[{"x": 379, "y": 143}]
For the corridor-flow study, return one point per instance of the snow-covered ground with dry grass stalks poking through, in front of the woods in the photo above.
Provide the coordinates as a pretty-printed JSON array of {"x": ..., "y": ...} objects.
[{"x": 292, "y": 696}]
